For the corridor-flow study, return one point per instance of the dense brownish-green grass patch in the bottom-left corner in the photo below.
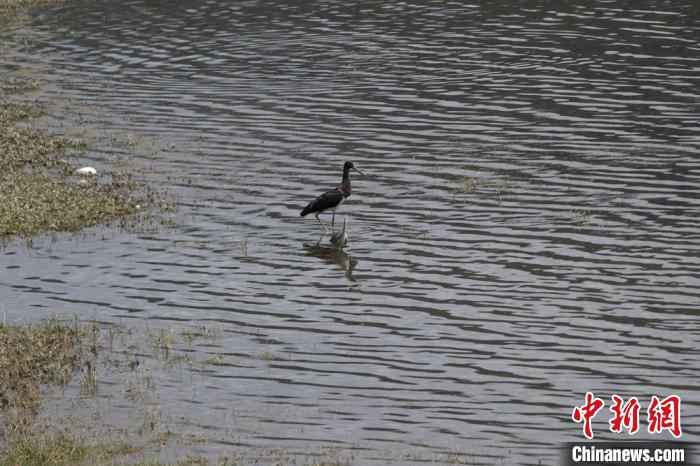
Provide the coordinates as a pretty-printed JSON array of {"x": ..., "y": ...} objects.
[{"x": 33, "y": 356}]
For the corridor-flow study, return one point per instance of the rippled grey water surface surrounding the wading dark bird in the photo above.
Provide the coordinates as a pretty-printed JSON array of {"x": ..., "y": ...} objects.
[{"x": 526, "y": 229}]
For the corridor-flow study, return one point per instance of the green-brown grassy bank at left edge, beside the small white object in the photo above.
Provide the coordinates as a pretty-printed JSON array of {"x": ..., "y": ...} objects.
[{"x": 38, "y": 187}]
